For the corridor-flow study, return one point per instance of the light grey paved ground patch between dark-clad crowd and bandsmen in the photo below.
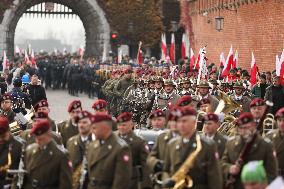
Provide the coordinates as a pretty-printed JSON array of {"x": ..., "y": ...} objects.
[{"x": 58, "y": 101}]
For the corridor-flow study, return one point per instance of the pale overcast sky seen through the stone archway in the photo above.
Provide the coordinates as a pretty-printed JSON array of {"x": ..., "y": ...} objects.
[{"x": 68, "y": 31}]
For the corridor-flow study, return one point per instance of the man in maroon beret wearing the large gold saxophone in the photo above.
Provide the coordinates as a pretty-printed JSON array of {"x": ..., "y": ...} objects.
[{"x": 205, "y": 171}]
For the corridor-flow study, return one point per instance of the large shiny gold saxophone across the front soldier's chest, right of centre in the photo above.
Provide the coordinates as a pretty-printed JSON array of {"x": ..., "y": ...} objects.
[{"x": 181, "y": 179}]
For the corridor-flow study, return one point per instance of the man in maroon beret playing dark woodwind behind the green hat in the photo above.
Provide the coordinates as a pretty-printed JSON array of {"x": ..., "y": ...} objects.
[{"x": 257, "y": 148}]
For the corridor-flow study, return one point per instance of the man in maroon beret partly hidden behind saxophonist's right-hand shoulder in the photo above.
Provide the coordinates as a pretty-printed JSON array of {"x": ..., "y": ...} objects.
[{"x": 210, "y": 128}]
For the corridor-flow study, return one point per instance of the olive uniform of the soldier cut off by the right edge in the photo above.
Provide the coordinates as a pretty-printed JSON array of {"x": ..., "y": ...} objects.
[{"x": 277, "y": 139}]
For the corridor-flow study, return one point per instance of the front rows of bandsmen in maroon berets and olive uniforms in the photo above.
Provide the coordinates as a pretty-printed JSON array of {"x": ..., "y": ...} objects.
[{"x": 95, "y": 150}]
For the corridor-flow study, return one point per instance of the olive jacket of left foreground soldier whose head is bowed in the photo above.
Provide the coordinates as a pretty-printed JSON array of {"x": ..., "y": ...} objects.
[{"x": 47, "y": 168}]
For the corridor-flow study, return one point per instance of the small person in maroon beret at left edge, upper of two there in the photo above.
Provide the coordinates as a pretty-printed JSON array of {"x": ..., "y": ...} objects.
[{"x": 6, "y": 107}]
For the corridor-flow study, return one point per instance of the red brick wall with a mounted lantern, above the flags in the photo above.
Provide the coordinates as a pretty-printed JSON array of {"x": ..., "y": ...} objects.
[{"x": 256, "y": 26}]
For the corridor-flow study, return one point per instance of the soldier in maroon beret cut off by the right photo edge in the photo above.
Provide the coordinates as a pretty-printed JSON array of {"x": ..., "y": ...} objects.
[{"x": 277, "y": 138}]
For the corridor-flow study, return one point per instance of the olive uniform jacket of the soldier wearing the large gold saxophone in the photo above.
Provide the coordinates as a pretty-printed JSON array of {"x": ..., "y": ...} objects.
[{"x": 205, "y": 173}]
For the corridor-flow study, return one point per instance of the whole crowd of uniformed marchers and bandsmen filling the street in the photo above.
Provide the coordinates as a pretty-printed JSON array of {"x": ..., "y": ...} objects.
[{"x": 154, "y": 125}]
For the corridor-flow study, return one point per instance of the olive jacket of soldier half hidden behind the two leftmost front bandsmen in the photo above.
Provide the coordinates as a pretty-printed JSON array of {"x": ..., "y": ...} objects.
[{"x": 67, "y": 130}]
